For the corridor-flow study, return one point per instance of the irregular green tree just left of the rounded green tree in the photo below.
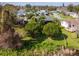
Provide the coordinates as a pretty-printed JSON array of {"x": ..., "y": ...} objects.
[{"x": 34, "y": 27}]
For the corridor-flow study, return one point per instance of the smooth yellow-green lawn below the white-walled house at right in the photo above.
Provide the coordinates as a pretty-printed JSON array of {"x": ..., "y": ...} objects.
[{"x": 73, "y": 41}]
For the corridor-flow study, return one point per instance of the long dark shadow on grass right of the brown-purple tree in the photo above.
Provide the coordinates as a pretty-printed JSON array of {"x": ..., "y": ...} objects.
[{"x": 28, "y": 44}]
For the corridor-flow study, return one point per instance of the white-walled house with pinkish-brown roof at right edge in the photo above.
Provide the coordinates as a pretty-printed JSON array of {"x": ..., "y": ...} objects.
[{"x": 70, "y": 25}]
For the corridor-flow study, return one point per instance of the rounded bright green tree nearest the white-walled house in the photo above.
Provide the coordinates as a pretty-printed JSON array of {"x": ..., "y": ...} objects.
[{"x": 51, "y": 29}]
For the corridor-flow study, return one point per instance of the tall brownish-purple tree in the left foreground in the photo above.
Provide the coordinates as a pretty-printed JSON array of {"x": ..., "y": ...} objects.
[{"x": 8, "y": 37}]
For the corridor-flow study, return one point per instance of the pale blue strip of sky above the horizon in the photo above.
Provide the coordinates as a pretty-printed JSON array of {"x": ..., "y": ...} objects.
[{"x": 43, "y": 3}]
